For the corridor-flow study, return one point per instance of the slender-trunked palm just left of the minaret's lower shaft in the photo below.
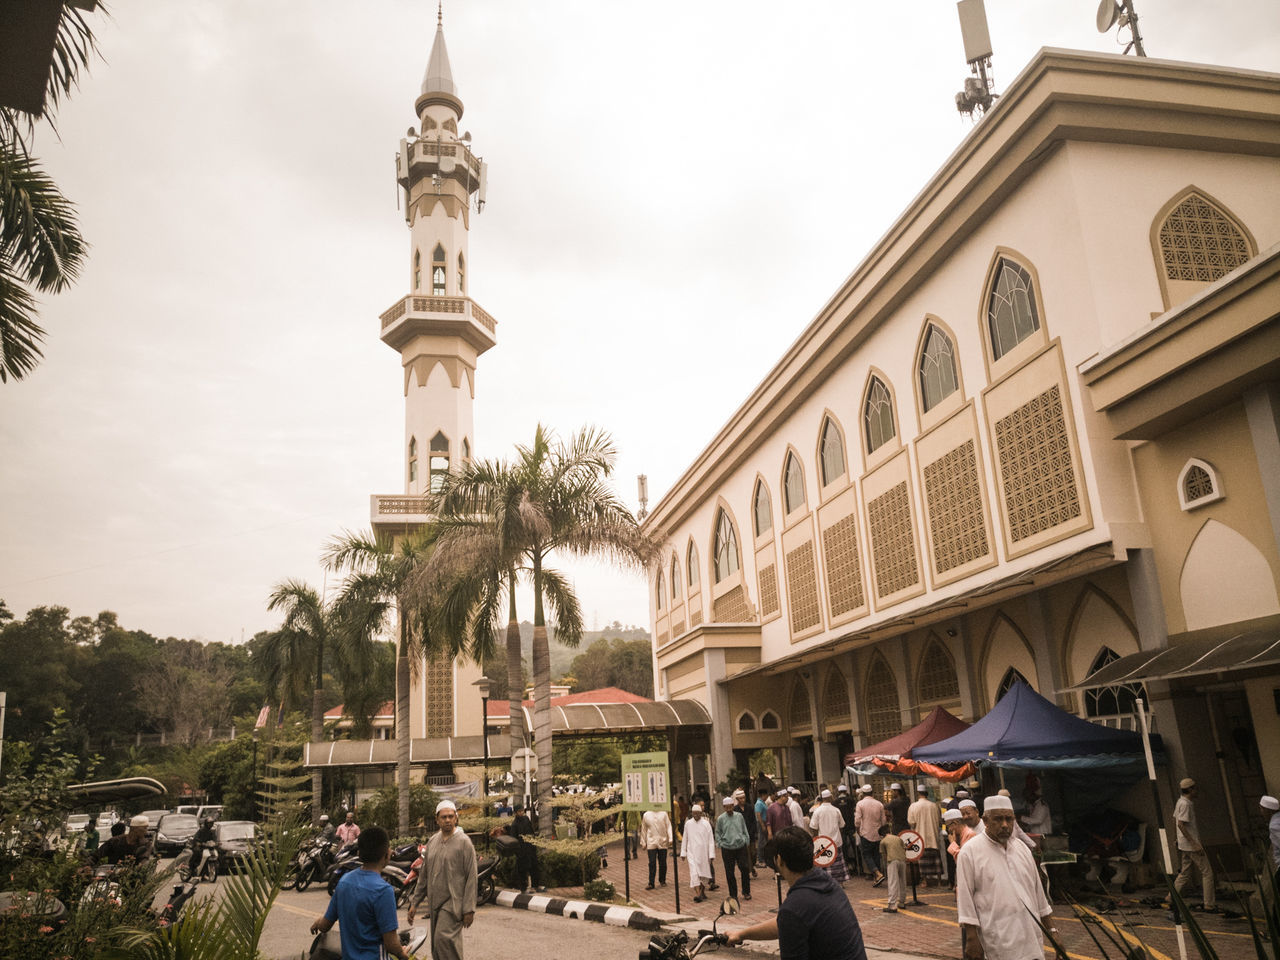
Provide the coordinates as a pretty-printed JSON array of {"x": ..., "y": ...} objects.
[{"x": 377, "y": 586}]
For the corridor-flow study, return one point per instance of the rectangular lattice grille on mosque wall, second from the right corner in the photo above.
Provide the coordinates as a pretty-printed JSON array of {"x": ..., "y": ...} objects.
[{"x": 956, "y": 509}]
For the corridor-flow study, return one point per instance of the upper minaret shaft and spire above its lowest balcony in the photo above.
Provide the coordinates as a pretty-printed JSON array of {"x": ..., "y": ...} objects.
[{"x": 438, "y": 330}]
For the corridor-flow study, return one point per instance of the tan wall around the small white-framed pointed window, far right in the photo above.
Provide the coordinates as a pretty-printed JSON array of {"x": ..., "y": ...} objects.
[{"x": 1223, "y": 441}]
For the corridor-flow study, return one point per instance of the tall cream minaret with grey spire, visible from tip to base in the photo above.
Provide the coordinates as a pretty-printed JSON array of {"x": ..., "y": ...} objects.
[{"x": 440, "y": 333}]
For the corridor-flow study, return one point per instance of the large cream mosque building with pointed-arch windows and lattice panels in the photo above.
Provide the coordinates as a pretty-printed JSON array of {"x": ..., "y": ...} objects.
[{"x": 1036, "y": 432}]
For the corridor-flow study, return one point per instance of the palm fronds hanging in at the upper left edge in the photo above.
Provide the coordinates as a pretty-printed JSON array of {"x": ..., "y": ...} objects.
[{"x": 42, "y": 249}]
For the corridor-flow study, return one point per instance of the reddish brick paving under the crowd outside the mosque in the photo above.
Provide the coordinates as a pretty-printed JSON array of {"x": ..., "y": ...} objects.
[{"x": 929, "y": 929}]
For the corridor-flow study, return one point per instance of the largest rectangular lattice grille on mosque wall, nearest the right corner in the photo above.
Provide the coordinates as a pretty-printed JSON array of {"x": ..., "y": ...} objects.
[{"x": 1036, "y": 461}]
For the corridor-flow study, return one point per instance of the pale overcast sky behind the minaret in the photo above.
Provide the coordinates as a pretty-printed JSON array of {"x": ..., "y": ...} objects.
[{"x": 675, "y": 190}]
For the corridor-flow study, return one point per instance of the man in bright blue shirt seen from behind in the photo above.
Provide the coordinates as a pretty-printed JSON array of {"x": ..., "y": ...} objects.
[{"x": 364, "y": 904}]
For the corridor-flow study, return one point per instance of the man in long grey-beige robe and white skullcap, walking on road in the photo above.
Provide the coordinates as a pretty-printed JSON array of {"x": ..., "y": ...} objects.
[{"x": 449, "y": 884}]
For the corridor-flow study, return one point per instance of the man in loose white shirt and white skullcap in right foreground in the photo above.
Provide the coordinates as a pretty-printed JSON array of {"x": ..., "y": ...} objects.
[{"x": 999, "y": 894}]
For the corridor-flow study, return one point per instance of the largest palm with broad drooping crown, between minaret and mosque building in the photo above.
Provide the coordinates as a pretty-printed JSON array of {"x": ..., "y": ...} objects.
[{"x": 508, "y": 520}]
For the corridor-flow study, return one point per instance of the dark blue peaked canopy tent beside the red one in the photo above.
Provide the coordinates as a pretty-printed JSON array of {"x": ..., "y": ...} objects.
[{"x": 1026, "y": 730}]
